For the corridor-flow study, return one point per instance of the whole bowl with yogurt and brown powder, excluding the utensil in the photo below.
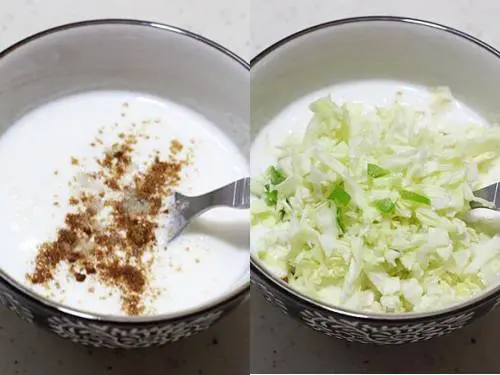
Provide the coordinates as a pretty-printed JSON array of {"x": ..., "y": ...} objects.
[{"x": 111, "y": 120}]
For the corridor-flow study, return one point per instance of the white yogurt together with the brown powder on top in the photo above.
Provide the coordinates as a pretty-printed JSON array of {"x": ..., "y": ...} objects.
[{"x": 94, "y": 156}]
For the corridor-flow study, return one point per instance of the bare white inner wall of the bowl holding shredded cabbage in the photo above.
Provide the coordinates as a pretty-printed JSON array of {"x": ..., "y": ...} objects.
[{"x": 403, "y": 51}]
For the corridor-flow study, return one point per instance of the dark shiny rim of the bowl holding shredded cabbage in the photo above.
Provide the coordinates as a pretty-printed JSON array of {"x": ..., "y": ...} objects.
[{"x": 258, "y": 268}]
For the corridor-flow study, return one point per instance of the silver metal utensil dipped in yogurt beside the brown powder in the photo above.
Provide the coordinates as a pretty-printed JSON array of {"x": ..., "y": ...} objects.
[{"x": 185, "y": 208}]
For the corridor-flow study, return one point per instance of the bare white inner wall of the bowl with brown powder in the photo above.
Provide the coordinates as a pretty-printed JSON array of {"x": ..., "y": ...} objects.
[{"x": 132, "y": 56}]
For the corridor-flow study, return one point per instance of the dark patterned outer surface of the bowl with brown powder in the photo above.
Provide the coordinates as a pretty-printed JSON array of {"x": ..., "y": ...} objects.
[{"x": 114, "y": 335}]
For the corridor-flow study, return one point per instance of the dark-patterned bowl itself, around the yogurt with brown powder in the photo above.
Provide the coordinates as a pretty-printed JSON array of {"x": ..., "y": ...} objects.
[{"x": 129, "y": 55}]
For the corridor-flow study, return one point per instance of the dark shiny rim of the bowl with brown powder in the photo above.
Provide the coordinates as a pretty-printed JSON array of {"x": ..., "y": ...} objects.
[{"x": 192, "y": 312}]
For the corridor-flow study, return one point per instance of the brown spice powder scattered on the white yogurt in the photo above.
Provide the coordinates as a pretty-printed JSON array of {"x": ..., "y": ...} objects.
[{"x": 112, "y": 249}]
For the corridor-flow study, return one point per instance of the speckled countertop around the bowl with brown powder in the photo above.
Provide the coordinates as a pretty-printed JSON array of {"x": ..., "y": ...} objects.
[{"x": 221, "y": 350}]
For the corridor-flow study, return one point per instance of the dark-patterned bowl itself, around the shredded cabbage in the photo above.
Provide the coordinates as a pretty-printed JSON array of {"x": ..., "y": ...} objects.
[{"x": 409, "y": 51}]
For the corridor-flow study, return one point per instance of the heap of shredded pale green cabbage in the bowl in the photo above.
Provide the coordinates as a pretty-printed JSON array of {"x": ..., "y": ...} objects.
[{"x": 366, "y": 211}]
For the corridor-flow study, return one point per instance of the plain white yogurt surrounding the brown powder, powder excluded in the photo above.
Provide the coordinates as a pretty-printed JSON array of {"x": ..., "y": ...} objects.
[{"x": 207, "y": 261}]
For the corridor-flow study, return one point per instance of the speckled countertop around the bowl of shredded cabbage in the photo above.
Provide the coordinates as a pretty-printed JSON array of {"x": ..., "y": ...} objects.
[{"x": 281, "y": 345}]
